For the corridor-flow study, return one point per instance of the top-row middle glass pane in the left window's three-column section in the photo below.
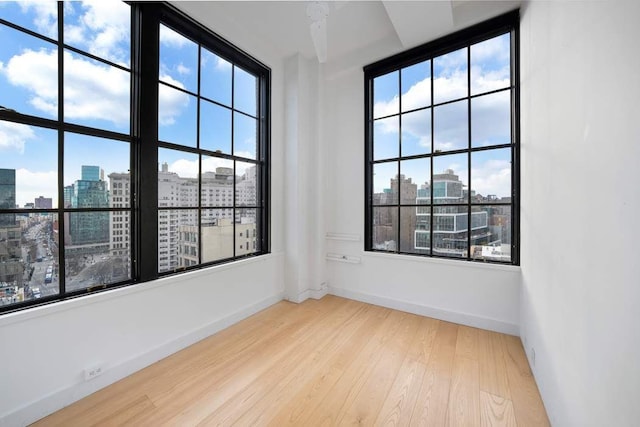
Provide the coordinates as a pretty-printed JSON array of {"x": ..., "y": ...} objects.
[{"x": 215, "y": 77}]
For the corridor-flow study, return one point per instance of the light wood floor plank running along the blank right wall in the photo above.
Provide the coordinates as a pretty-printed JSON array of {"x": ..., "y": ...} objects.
[{"x": 527, "y": 404}]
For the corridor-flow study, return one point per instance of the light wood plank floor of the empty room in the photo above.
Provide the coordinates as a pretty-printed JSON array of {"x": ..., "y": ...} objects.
[{"x": 328, "y": 362}]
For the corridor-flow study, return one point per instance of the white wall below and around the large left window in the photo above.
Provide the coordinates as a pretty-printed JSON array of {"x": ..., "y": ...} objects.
[{"x": 44, "y": 350}]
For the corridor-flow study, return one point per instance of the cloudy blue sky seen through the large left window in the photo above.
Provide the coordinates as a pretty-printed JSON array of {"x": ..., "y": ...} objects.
[{"x": 97, "y": 95}]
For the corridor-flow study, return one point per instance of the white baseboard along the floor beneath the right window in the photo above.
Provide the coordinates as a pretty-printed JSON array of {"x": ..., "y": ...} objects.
[{"x": 423, "y": 310}]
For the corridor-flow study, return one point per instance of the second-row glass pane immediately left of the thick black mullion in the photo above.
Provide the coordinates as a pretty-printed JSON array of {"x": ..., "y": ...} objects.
[{"x": 95, "y": 94}]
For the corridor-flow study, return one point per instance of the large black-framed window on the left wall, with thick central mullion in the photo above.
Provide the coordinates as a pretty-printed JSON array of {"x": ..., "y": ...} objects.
[{"x": 87, "y": 174}]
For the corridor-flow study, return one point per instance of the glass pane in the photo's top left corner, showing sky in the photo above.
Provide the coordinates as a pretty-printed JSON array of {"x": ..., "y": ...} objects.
[{"x": 38, "y": 16}]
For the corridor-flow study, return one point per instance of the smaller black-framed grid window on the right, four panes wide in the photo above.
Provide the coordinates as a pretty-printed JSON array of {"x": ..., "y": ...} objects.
[{"x": 442, "y": 140}]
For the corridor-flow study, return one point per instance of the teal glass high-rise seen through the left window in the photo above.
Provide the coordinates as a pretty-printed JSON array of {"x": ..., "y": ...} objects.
[{"x": 89, "y": 228}]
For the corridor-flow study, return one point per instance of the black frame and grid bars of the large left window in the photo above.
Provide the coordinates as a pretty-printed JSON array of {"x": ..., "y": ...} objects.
[{"x": 142, "y": 137}]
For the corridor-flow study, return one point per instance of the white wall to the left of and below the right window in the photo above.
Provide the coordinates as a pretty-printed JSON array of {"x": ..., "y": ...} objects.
[{"x": 477, "y": 295}]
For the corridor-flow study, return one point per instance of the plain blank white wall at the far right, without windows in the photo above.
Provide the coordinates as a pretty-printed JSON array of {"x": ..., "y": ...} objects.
[{"x": 580, "y": 208}]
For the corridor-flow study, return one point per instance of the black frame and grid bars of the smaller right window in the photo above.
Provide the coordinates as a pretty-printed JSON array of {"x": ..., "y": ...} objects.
[{"x": 506, "y": 23}]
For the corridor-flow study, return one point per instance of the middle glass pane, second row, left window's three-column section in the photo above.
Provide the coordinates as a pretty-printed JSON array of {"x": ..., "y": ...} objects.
[{"x": 215, "y": 127}]
